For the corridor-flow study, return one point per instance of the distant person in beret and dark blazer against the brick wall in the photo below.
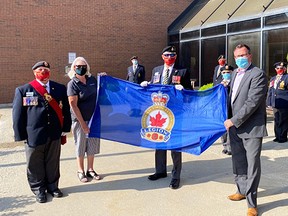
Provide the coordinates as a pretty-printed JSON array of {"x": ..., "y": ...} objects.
[{"x": 136, "y": 72}]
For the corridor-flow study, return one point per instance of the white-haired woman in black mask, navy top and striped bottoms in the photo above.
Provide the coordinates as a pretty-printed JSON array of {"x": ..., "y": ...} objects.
[{"x": 82, "y": 94}]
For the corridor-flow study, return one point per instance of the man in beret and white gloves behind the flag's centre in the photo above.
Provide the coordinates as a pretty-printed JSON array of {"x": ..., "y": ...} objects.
[{"x": 167, "y": 74}]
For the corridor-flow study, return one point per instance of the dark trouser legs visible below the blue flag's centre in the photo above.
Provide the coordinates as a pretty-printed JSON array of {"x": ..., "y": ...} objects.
[{"x": 161, "y": 162}]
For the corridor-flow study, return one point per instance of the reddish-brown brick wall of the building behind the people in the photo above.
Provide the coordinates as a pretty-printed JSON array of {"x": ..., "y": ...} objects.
[{"x": 105, "y": 32}]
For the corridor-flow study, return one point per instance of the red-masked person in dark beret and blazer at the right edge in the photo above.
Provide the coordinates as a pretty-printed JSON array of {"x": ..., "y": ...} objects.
[{"x": 277, "y": 98}]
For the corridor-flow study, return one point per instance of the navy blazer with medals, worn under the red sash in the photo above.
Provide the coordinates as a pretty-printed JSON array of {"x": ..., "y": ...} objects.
[{"x": 38, "y": 122}]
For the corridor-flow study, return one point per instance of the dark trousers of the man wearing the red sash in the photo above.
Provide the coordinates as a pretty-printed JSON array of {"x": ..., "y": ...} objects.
[{"x": 43, "y": 166}]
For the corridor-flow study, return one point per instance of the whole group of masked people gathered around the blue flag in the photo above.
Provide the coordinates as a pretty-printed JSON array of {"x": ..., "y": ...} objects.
[{"x": 41, "y": 124}]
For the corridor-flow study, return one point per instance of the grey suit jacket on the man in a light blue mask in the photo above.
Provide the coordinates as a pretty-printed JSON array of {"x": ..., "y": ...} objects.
[{"x": 248, "y": 110}]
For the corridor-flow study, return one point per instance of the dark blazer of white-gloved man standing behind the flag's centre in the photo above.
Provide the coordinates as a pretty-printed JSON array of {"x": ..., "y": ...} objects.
[{"x": 183, "y": 73}]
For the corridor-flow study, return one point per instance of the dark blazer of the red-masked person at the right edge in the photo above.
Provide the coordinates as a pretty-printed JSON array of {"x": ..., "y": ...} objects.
[{"x": 278, "y": 98}]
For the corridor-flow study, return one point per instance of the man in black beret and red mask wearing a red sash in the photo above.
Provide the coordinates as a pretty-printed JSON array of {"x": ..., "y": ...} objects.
[{"x": 41, "y": 114}]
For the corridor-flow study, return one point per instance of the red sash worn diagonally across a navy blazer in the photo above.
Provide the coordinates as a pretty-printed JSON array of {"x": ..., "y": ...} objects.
[{"x": 52, "y": 102}]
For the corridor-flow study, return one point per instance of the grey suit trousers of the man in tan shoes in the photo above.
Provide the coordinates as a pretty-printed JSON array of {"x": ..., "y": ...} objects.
[{"x": 246, "y": 165}]
